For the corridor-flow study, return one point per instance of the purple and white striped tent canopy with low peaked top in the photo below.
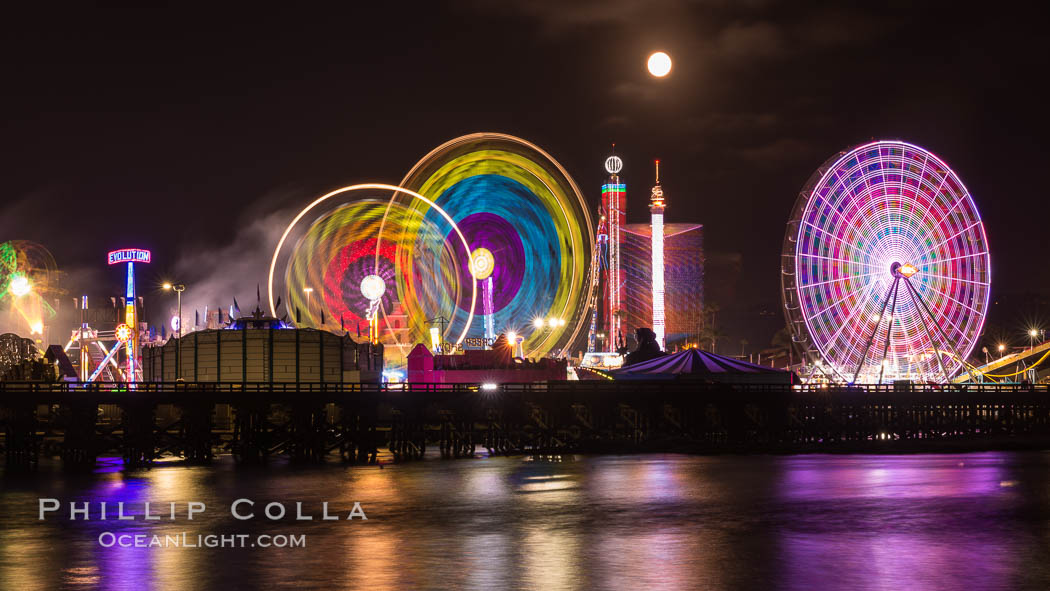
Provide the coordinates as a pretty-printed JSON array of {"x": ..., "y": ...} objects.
[{"x": 703, "y": 366}]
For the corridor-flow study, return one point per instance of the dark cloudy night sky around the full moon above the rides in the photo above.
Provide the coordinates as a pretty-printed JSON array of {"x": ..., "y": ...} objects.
[{"x": 192, "y": 133}]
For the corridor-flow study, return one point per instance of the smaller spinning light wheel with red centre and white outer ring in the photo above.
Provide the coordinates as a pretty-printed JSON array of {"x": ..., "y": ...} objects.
[{"x": 375, "y": 238}]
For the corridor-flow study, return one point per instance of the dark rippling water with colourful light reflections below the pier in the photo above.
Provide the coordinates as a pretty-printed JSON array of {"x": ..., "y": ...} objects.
[{"x": 976, "y": 521}]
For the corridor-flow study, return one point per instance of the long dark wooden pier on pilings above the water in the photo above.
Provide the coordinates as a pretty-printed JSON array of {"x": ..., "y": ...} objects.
[{"x": 312, "y": 423}]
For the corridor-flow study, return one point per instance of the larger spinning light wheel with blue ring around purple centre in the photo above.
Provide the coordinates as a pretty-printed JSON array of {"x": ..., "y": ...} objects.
[{"x": 518, "y": 207}]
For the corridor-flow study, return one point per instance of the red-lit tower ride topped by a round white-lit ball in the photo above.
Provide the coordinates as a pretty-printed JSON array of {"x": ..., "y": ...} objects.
[{"x": 615, "y": 206}]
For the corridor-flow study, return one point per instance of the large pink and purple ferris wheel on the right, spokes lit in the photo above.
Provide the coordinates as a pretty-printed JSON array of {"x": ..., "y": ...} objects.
[{"x": 886, "y": 268}]
